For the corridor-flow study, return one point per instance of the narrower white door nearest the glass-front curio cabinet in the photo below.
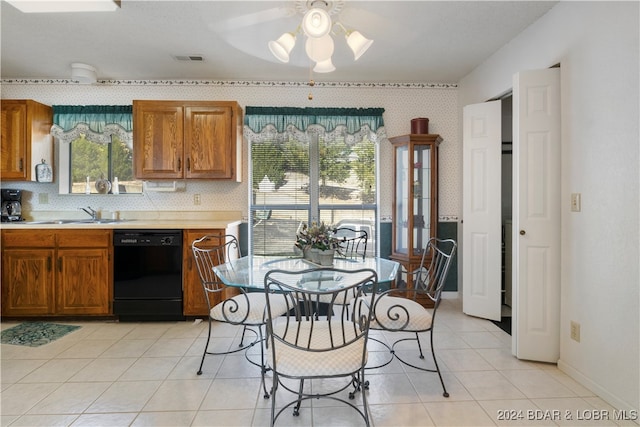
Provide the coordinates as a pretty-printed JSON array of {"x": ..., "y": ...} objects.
[{"x": 482, "y": 229}]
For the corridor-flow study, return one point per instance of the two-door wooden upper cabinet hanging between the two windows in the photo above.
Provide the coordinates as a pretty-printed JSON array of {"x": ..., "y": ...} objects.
[{"x": 187, "y": 139}]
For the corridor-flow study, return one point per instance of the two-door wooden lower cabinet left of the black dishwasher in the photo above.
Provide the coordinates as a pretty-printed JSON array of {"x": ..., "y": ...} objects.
[{"x": 56, "y": 272}]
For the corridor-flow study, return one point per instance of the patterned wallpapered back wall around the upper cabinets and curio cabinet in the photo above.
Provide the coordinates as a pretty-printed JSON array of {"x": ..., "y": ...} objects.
[{"x": 401, "y": 103}]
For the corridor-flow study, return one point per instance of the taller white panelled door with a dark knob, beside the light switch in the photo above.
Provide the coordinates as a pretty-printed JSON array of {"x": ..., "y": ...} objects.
[{"x": 536, "y": 215}]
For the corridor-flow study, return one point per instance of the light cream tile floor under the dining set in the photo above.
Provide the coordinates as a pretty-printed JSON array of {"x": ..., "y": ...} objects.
[{"x": 144, "y": 374}]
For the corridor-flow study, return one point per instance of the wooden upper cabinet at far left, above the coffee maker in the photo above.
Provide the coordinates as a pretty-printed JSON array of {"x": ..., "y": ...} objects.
[{"x": 26, "y": 138}]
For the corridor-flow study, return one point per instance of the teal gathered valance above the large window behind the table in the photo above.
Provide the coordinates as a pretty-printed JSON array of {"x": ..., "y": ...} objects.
[{"x": 330, "y": 119}]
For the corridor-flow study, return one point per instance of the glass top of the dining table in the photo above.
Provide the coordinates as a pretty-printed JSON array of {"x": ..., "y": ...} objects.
[{"x": 249, "y": 271}]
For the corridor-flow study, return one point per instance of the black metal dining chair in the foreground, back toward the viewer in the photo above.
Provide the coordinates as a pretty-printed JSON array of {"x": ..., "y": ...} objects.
[{"x": 304, "y": 345}]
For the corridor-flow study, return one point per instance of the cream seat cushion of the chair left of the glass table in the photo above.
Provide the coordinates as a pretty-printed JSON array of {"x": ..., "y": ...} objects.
[{"x": 247, "y": 309}]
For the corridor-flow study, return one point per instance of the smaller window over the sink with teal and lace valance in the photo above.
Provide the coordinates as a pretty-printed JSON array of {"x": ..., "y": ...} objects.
[{"x": 96, "y": 146}]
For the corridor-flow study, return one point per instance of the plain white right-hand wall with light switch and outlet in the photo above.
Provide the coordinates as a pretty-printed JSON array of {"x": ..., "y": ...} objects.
[{"x": 596, "y": 44}]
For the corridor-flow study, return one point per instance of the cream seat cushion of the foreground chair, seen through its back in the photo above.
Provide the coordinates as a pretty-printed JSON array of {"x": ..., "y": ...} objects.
[{"x": 299, "y": 362}]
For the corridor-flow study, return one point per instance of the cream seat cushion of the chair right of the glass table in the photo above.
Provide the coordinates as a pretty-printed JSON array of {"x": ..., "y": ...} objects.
[{"x": 400, "y": 314}]
